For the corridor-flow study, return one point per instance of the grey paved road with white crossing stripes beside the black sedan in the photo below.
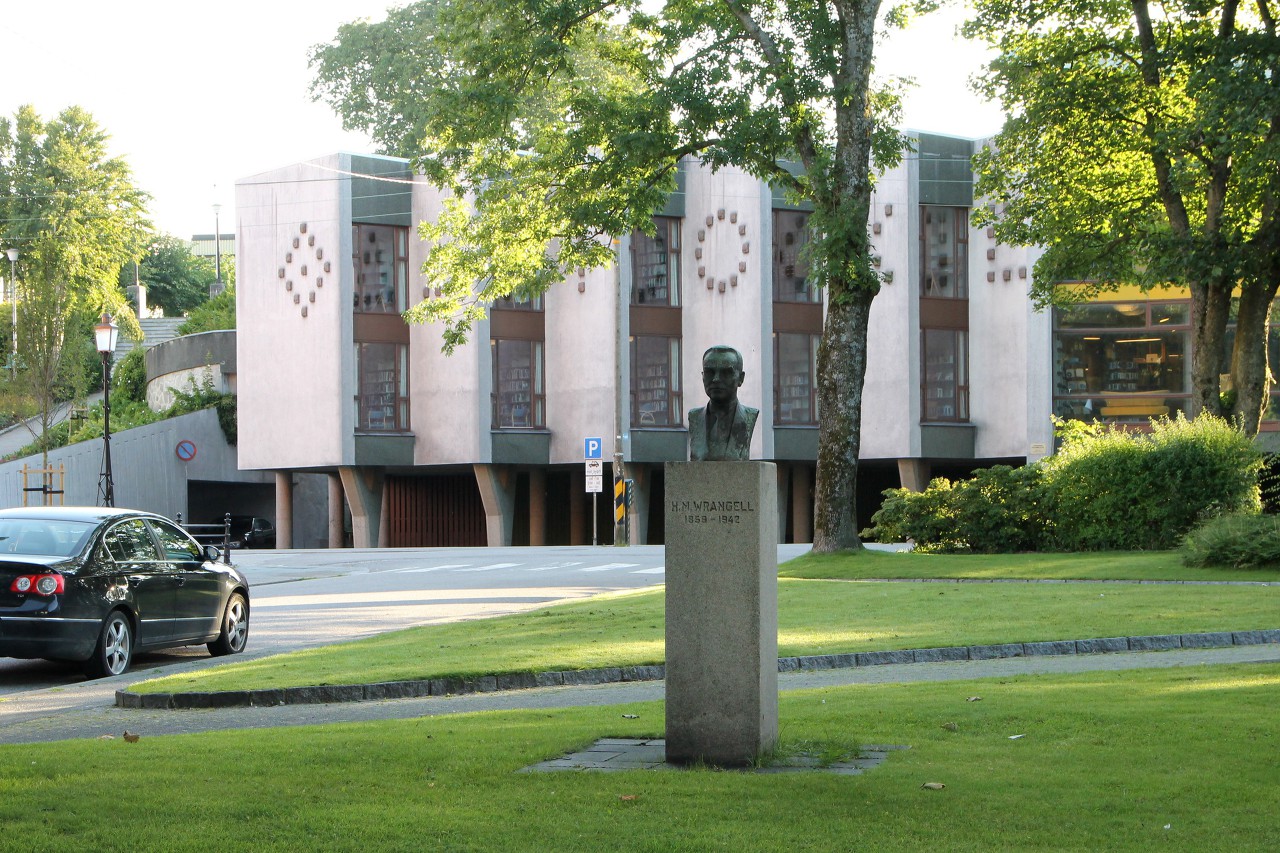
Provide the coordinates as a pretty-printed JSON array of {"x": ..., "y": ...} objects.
[{"x": 307, "y": 599}]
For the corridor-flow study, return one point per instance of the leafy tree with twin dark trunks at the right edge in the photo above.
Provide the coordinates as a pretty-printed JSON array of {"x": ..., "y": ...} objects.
[{"x": 1141, "y": 148}]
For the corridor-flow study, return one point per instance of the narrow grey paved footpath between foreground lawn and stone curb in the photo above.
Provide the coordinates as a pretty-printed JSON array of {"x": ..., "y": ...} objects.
[{"x": 98, "y": 722}]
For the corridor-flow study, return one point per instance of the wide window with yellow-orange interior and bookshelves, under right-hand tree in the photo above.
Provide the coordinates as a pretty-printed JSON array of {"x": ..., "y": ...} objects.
[{"x": 1122, "y": 362}]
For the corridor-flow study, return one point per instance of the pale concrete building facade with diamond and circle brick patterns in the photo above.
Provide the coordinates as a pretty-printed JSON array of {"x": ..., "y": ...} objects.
[{"x": 487, "y": 445}]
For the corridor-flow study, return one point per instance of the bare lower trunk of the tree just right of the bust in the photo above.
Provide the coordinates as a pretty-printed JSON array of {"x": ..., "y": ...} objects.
[{"x": 842, "y": 371}]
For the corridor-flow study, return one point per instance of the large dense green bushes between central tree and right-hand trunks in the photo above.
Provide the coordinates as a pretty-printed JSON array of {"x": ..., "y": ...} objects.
[{"x": 1104, "y": 490}]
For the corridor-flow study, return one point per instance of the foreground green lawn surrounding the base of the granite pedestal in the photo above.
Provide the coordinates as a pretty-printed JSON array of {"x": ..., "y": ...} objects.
[{"x": 1151, "y": 760}]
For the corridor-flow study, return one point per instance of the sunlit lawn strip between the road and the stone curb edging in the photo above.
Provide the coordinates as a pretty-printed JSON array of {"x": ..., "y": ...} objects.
[{"x": 815, "y": 618}]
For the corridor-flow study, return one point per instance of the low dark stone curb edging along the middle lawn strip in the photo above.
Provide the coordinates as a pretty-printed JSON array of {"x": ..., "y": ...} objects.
[{"x": 326, "y": 695}]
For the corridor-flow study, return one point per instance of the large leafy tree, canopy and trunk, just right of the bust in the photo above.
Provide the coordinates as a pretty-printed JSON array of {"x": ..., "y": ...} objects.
[{"x": 560, "y": 125}]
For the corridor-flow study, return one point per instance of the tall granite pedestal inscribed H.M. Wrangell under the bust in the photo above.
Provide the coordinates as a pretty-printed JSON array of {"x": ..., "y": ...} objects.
[{"x": 723, "y": 612}]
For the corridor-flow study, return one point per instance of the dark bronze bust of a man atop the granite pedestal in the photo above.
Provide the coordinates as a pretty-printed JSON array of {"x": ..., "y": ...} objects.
[{"x": 721, "y": 432}]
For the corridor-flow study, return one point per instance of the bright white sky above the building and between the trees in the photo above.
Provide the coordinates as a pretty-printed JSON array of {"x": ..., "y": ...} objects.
[{"x": 198, "y": 98}]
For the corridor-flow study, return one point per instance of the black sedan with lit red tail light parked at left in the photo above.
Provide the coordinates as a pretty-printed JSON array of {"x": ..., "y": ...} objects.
[{"x": 99, "y": 585}]
